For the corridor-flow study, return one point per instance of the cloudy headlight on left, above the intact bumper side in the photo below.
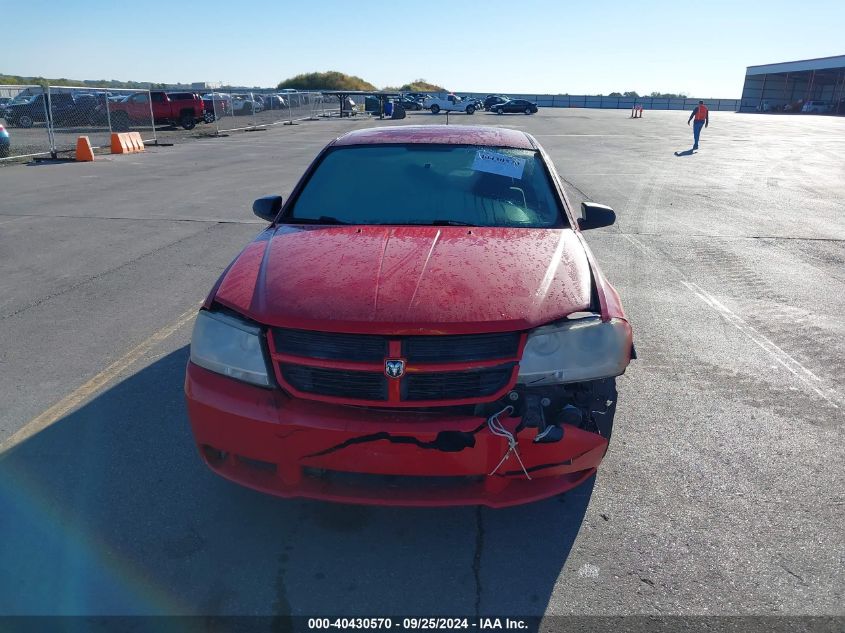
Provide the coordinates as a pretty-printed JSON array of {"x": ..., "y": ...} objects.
[{"x": 229, "y": 346}]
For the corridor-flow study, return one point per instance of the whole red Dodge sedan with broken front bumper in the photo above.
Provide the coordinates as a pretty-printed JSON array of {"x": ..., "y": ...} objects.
[{"x": 422, "y": 323}]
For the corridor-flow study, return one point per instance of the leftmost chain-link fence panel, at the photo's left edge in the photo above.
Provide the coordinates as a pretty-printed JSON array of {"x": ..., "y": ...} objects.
[{"x": 25, "y": 113}]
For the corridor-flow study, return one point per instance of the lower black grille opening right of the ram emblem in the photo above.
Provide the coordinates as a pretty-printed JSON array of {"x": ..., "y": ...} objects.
[{"x": 456, "y": 385}]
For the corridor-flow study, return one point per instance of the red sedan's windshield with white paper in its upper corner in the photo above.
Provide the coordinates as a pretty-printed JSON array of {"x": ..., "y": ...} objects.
[{"x": 429, "y": 184}]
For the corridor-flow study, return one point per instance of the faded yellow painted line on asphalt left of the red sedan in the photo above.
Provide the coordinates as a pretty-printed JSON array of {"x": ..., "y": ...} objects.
[{"x": 82, "y": 393}]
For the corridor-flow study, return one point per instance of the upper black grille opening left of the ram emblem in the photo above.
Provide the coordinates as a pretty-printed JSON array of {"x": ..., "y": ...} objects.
[{"x": 330, "y": 346}]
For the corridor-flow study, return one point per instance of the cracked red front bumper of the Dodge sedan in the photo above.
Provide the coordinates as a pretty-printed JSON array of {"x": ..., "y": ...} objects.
[{"x": 289, "y": 447}]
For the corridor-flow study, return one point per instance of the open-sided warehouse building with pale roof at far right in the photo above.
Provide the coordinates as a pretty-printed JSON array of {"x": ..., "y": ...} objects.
[{"x": 817, "y": 85}]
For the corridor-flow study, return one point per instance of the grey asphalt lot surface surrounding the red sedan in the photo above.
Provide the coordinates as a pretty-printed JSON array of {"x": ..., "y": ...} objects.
[{"x": 722, "y": 491}]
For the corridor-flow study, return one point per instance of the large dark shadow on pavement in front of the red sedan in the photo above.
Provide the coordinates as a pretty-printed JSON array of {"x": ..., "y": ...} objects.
[{"x": 110, "y": 511}]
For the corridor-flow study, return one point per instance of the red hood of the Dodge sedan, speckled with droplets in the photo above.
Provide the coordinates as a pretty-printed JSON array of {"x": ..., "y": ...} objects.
[{"x": 397, "y": 280}]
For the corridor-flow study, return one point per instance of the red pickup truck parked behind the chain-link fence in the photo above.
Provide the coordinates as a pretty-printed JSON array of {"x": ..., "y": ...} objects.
[{"x": 178, "y": 108}]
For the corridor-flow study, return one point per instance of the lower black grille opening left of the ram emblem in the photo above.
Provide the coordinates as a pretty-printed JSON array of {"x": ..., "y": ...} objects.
[{"x": 340, "y": 383}]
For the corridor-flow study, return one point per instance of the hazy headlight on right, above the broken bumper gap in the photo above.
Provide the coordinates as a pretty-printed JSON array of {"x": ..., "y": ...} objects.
[{"x": 585, "y": 349}]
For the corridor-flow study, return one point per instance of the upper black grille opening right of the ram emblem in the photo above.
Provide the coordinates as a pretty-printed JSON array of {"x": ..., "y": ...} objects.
[{"x": 464, "y": 347}]
